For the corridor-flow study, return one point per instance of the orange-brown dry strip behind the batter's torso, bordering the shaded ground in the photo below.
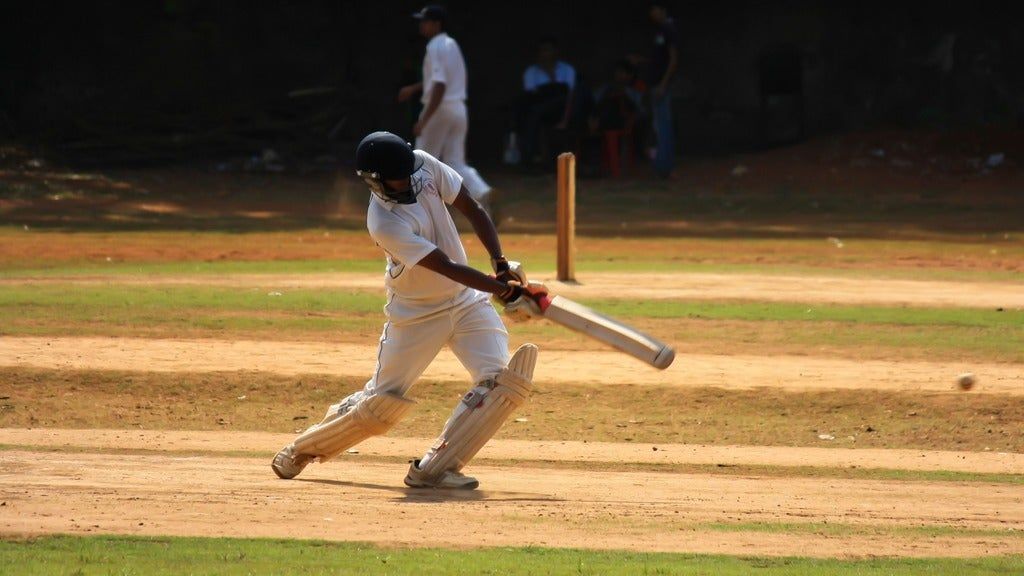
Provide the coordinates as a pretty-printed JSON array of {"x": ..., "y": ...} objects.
[{"x": 26, "y": 254}]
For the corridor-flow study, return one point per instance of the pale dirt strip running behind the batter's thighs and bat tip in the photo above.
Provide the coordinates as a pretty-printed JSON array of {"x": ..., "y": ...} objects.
[{"x": 736, "y": 372}]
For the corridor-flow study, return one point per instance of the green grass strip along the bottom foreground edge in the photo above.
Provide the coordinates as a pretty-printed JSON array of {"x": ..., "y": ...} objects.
[{"x": 154, "y": 557}]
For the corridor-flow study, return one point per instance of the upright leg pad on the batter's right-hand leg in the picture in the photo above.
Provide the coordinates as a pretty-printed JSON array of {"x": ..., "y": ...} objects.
[{"x": 486, "y": 408}]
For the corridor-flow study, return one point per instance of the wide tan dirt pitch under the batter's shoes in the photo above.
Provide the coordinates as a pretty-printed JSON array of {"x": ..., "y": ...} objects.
[{"x": 217, "y": 496}]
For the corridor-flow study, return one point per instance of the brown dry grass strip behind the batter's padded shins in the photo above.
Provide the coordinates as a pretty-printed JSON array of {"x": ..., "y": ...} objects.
[{"x": 88, "y": 399}]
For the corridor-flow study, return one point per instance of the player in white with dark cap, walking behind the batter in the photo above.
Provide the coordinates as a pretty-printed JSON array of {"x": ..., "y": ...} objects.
[{"x": 443, "y": 126}]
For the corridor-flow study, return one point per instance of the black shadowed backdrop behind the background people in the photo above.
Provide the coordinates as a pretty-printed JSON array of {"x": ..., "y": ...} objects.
[{"x": 158, "y": 81}]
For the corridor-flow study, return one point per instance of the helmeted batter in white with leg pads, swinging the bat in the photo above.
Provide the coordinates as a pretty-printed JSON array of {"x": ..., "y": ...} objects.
[{"x": 434, "y": 300}]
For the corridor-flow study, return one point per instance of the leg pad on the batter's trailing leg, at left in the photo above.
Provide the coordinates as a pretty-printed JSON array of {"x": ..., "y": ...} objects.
[{"x": 372, "y": 417}]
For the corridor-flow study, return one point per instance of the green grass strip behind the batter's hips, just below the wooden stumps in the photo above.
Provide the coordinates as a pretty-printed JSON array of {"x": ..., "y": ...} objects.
[{"x": 81, "y": 302}]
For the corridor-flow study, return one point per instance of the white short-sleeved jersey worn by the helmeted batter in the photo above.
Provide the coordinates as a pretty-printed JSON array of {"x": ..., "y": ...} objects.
[{"x": 410, "y": 232}]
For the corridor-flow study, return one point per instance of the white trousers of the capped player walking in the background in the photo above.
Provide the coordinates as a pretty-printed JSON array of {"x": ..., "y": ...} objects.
[{"x": 445, "y": 139}]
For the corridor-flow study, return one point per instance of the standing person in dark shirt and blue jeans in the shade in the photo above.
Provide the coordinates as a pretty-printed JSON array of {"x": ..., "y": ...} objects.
[{"x": 662, "y": 72}]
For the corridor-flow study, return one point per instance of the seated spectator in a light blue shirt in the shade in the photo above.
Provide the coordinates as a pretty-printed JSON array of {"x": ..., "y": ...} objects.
[{"x": 549, "y": 88}]
